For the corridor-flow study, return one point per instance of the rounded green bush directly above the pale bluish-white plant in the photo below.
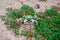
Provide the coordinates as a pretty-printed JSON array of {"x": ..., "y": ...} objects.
[{"x": 27, "y": 10}]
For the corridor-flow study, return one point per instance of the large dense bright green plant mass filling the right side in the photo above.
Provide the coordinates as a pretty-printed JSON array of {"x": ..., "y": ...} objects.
[{"x": 48, "y": 25}]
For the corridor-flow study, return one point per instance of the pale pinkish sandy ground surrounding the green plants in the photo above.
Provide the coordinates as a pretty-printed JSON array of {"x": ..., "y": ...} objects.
[{"x": 8, "y": 35}]
